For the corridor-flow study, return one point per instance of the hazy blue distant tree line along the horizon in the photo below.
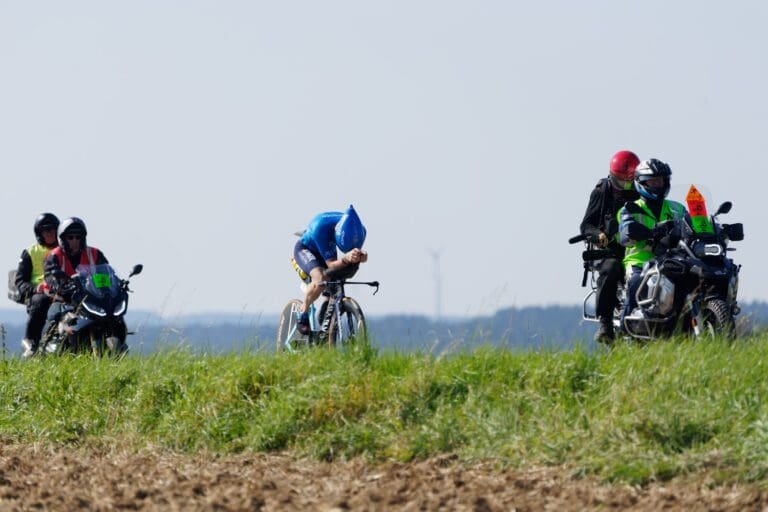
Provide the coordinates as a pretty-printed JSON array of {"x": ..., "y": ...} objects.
[{"x": 548, "y": 327}]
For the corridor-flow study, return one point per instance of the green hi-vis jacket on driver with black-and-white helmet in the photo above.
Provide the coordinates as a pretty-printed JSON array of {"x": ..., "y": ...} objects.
[{"x": 639, "y": 251}]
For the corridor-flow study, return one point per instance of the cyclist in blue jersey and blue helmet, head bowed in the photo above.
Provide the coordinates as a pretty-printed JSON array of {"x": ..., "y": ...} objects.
[{"x": 315, "y": 253}]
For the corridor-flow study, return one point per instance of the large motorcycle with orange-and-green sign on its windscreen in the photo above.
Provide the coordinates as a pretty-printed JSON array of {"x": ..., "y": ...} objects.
[{"x": 690, "y": 285}]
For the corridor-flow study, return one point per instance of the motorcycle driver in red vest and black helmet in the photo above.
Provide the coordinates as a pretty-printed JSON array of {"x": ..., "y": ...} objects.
[{"x": 72, "y": 252}]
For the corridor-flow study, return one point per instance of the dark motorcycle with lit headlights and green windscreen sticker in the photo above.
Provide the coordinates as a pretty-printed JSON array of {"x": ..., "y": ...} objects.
[{"x": 92, "y": 320}]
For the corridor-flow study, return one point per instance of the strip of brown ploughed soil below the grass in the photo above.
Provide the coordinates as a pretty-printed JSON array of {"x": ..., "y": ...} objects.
[{"x": 39, "y": 479}]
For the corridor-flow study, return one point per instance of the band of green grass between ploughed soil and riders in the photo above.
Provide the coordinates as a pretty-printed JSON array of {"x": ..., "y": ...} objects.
[{"x": 633, "y": 414}]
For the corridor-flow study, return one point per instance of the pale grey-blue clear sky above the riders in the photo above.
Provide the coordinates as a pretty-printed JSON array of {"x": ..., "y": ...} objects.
[{"x": 196, "y": 137}]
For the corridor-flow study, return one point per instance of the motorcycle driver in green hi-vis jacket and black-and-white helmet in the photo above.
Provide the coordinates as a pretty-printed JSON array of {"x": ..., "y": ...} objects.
[{"x": 638, "y": 220}]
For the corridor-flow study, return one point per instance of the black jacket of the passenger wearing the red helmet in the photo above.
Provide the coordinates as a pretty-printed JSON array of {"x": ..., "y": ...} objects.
[{"x": 604, "y": 203}]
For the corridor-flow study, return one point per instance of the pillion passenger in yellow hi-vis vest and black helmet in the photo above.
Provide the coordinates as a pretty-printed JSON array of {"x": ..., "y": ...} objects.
[{"x": 30, "y": 280}]
